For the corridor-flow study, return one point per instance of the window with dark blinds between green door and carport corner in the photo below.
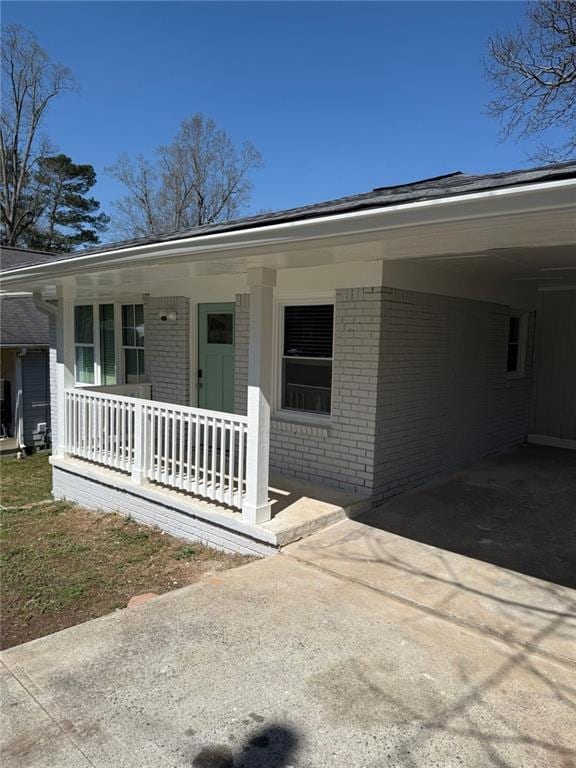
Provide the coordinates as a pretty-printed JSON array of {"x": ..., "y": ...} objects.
[{"x": 307, "y": 358}]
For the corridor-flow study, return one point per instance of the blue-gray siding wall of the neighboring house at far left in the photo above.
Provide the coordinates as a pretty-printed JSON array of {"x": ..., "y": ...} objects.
[{"x": 36, "y": 393}]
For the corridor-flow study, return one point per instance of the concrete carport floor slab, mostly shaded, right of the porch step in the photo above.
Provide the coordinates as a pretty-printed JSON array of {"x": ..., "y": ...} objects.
[{"x": 492, "y": 548}]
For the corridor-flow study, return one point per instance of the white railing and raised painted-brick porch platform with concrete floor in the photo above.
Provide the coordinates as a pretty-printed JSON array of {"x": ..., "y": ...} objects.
[{"x": 183, "y": 469}]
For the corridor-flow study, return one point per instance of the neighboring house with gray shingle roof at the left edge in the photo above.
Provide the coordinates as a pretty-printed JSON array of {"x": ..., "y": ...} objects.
[{"x": 24, "y": 363}]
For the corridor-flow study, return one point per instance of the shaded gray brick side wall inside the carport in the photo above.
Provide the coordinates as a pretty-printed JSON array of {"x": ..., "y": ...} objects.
[{"x": 445, "y": 399}]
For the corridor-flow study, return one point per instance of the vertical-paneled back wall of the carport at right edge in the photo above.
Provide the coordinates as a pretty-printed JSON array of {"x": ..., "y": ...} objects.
[{"x": 554, "y": 398}]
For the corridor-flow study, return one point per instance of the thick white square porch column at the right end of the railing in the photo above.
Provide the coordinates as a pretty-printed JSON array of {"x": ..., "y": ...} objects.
[{"x": 256, "y": 507}]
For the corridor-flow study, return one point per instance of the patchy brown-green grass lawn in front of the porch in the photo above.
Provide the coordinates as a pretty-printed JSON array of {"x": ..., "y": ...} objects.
[{"x": 61, "y": 565}]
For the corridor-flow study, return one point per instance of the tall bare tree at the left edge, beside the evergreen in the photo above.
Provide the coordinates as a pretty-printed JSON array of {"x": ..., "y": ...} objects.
[{"x": 30, "y": 81}]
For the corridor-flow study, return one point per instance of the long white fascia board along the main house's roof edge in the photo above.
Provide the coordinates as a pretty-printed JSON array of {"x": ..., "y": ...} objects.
[{"x": 492, "y": 203}]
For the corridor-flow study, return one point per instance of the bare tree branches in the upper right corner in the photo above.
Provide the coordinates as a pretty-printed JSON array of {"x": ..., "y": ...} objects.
[{"x": 534, "y": 72}]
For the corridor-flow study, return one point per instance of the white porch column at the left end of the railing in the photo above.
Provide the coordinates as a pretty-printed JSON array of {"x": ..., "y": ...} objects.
[{"x": 64, "y": 360}]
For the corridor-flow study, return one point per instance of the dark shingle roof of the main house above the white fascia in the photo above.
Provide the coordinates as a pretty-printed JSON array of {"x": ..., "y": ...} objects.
[{"x": 449, "y": 185}]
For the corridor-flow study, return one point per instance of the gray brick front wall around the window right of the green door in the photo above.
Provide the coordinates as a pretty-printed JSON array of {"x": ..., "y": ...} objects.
[{"x": 342, "y": 453}]
